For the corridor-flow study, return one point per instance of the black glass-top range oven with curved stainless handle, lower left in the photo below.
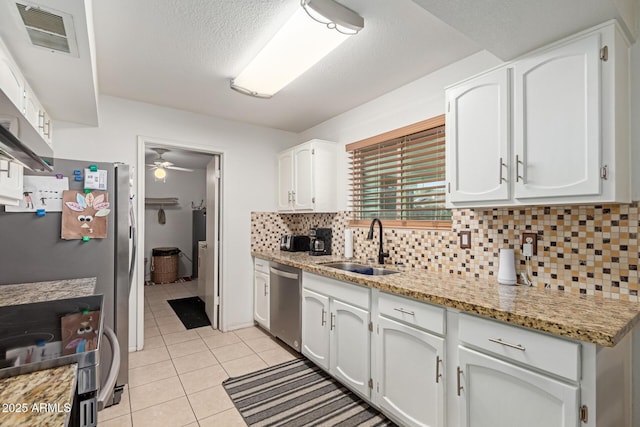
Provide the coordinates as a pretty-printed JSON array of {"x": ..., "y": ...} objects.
[{"x": 54, "y": 333}]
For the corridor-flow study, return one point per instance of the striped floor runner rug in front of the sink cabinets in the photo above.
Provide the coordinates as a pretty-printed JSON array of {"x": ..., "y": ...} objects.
[{"x": 298, "y": 393}]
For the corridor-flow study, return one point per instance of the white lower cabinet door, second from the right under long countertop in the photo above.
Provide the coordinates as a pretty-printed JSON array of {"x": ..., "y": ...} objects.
[{"x": 409, "y": 374}]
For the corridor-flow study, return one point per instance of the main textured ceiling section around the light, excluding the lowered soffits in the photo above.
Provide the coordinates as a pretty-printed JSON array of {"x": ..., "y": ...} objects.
[{"x": 183, "y": 53}]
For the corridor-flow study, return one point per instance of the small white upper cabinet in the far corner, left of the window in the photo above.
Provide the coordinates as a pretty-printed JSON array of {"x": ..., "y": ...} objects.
[{"x": 307, "y": 178}]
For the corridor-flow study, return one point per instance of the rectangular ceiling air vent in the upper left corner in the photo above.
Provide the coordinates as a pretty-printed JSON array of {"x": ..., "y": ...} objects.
[{"x": 48, "y": 29}]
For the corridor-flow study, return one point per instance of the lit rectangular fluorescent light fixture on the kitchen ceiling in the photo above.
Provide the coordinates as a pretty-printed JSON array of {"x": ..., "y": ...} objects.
[{"x": 297, "y": 46}]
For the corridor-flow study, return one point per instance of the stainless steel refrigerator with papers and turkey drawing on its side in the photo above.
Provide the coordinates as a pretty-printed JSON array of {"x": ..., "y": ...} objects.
[{"x": 31, "y": 250}]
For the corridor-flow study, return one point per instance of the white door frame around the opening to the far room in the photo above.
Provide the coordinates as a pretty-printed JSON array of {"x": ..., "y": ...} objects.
[{"x": 136, "y": 310}]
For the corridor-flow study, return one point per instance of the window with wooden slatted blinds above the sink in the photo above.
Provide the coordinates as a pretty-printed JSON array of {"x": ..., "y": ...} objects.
[{"x": 399, "y": 177}]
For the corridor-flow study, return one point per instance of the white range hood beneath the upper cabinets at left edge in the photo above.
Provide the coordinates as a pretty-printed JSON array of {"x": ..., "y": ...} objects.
[{"x": 20, "y": 141}]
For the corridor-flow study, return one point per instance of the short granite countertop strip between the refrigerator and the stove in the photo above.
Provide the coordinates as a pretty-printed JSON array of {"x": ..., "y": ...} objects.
[{"x": 24, "y": 293}]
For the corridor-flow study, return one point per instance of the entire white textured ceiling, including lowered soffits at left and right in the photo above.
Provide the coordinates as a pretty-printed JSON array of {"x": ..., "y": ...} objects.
[{"x": 182, "y": 53}]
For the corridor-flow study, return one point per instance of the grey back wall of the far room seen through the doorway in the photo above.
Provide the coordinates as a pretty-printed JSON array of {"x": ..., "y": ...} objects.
[{"x": 176, "y": 232}]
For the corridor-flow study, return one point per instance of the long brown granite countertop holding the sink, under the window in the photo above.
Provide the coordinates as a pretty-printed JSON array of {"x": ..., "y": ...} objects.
[{"x": 586, "y": 318}]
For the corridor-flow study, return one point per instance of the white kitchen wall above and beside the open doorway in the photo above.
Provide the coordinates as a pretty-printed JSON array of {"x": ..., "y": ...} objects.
[{"x": 249, "y": 154}]
